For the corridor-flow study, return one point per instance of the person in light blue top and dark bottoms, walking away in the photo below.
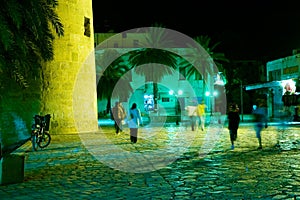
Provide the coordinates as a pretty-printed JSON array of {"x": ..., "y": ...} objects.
[{"x": 135, "y": 120}]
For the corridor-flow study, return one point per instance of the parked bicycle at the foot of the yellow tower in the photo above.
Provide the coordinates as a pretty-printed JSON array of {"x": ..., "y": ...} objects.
[{"x": 40, "y": 136}]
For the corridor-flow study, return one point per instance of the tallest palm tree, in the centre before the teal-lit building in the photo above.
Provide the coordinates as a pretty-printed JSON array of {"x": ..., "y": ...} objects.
[{"x": 155, "y": 57}]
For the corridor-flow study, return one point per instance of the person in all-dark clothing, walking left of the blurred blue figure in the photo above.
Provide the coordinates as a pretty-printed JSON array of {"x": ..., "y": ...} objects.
[{"x": 233, "y": 122}]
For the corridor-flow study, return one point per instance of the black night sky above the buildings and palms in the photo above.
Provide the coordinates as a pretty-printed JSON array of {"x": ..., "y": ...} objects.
[{"x": 246, "y": 29}]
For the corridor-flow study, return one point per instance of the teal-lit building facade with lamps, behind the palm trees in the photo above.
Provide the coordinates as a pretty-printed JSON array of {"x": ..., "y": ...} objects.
[{"x": 175, "y": 91}]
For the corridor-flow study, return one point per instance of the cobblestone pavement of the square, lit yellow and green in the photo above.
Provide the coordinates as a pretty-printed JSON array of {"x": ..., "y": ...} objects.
[{"x": 166, "y": 163}]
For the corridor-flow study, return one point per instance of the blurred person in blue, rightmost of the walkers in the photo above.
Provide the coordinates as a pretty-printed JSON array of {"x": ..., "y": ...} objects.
[{"x": 261, "y": 120}]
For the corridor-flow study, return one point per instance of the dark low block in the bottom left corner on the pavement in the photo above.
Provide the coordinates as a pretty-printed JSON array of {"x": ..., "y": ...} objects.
[{"x": 11, "y": 169}]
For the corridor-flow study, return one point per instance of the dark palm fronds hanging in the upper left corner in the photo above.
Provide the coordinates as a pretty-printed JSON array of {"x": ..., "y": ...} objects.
[{"x": 26, "y": 37}]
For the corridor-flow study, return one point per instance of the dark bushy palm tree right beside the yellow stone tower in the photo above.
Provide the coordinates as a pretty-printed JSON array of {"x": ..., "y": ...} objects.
[{"x": 113, "y": 83}]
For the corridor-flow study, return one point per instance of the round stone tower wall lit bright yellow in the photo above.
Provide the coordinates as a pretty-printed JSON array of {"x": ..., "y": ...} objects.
[{"x": 69, "y": 92}]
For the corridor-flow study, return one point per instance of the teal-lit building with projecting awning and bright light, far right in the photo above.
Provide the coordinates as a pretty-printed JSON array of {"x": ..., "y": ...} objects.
[{"x": 282, "y": 81}]
